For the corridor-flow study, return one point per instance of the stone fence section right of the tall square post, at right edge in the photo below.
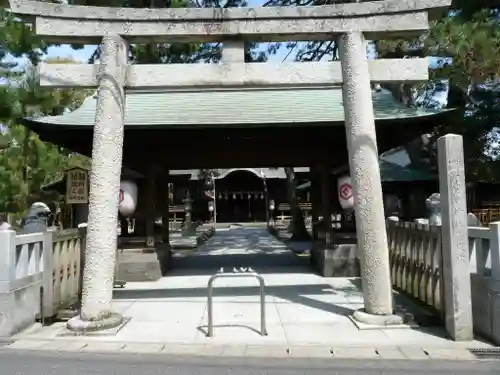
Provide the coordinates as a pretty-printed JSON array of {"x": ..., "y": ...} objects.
[{"x": 484, "y": 245}]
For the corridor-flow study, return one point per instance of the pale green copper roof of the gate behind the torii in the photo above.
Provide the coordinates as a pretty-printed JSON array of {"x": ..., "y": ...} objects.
[{"x": 229, "y": 106}]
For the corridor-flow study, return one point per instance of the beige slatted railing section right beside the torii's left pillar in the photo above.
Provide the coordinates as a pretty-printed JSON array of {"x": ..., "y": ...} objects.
[{"x": 62, "y": 265}]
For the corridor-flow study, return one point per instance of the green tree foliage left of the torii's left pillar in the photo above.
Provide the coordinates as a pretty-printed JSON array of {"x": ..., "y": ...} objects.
[{"x": 27, "y": 163}]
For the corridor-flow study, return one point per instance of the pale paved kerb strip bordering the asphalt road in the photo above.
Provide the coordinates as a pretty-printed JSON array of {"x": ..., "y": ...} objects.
[{"x": 408, "y": 352}]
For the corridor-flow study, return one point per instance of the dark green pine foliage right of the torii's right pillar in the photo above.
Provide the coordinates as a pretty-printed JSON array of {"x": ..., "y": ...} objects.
[{"x": 467, "y": 45}]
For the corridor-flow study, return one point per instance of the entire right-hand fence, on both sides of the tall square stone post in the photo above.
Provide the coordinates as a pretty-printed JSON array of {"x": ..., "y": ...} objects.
[{"x": 416, "y": 260}]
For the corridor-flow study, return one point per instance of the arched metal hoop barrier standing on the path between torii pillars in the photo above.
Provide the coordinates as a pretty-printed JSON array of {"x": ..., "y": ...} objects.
[{"x": 242, "y": 272}]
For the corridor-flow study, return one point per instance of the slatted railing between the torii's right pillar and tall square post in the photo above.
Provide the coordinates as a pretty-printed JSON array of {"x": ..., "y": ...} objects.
[{"x": 415, "y": 253}]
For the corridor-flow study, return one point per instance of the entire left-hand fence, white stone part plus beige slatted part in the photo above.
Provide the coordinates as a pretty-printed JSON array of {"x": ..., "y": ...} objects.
[{"x": 39, "y": 274}]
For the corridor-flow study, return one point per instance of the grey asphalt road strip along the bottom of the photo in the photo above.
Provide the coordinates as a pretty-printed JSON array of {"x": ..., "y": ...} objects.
[{"x": 38, "y": 363}]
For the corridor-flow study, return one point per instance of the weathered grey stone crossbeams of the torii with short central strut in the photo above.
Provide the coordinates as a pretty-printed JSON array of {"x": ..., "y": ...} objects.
[{"x": 84, "y": 24}]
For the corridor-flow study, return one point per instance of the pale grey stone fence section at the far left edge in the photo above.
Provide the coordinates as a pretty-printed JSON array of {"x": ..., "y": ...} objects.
[{"x": 21, "y": 279}]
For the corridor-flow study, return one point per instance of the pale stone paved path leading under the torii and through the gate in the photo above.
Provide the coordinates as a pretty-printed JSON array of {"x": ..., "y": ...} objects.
[{"x": 303, "y": 310}]
